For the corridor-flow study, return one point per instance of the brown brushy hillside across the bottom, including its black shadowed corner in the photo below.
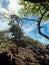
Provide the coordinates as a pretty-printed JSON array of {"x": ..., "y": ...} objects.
[{"x": 11, "y": 54}]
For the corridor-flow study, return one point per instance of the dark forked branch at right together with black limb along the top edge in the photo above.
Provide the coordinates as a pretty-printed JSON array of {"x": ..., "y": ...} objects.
[{"x": 39, "y": 26}]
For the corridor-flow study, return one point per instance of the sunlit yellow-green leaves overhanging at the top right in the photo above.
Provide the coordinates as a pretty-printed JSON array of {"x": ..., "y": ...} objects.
[{"x": 34, "y": 9}]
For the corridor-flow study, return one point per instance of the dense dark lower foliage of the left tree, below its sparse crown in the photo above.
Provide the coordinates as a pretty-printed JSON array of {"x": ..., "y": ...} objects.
[{"x": 17, "y": 32}]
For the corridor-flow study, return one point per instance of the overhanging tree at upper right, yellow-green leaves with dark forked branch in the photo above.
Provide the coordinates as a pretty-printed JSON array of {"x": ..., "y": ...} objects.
[{"x": 38, "y": 8}]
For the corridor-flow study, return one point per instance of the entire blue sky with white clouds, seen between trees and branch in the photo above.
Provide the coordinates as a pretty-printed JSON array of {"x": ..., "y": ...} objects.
[{"x": 29, "y": 27}]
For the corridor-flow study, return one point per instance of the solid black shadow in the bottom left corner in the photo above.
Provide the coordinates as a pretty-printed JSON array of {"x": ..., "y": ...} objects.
[{"x": 4, "y": 59}]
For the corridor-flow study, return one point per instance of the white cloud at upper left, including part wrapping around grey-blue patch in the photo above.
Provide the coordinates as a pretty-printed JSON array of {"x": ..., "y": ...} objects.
[{"x": 12, "y": 7}]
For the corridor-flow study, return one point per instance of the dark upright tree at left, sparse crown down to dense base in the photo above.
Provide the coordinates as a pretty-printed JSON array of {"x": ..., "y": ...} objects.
[{"x": 15, "y": 29}]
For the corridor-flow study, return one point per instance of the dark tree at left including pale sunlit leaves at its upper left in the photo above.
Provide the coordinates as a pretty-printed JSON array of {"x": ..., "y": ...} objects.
[{"x": 15, "y": 26}]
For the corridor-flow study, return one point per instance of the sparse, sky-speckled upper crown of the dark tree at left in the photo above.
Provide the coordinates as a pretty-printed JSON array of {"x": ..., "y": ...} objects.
[{"x": 15, "y": 19}]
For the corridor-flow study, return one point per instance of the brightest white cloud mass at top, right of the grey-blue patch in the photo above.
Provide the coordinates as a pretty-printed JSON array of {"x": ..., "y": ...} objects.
[{"x": 14, "y": 6}]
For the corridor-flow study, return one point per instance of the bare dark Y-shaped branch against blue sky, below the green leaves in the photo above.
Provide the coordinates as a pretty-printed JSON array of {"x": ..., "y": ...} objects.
[{"x": 39, "y": 26}]
